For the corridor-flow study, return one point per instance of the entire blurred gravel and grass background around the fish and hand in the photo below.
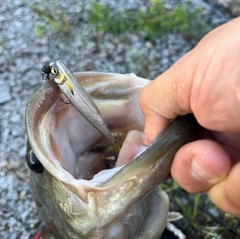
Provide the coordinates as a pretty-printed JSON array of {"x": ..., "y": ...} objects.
[{"x": 122, "y": 36}]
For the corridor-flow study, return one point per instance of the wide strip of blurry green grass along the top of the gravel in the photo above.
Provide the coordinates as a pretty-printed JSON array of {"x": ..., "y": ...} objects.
[{"x": 153, "y": 22}]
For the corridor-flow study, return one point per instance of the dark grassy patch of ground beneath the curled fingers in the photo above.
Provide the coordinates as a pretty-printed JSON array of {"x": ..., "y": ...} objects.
[{"x": 199, "y": 219}]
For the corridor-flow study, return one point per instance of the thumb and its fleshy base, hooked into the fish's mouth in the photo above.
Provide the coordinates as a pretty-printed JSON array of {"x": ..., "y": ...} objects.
[{"x": 204, "y": 82}]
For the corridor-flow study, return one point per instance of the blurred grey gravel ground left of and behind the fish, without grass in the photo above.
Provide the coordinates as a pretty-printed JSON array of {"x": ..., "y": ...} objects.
[{"x": 23, "y": 52}]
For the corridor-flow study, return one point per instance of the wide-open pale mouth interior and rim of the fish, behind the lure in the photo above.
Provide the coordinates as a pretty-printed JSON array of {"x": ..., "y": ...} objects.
[{"x": 66, "y": 144}]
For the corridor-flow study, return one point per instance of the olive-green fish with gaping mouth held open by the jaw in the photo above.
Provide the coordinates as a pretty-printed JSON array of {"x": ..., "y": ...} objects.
[{"x": 85, "y": 186}]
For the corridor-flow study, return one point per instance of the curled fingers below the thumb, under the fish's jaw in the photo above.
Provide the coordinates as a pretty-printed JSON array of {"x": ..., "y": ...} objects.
[{"x": 205, "y": 165}]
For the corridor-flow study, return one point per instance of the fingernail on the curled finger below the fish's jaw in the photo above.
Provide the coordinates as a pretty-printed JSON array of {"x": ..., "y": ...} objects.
[{"x": 200, "y": 171}]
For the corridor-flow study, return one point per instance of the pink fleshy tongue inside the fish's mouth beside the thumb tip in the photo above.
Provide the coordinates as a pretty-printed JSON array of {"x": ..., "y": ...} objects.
[{"x": 132, "y": 147}]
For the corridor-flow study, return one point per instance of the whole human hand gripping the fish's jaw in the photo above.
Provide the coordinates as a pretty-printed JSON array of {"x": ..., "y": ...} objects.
[{"x": 205, "y": 82}]
